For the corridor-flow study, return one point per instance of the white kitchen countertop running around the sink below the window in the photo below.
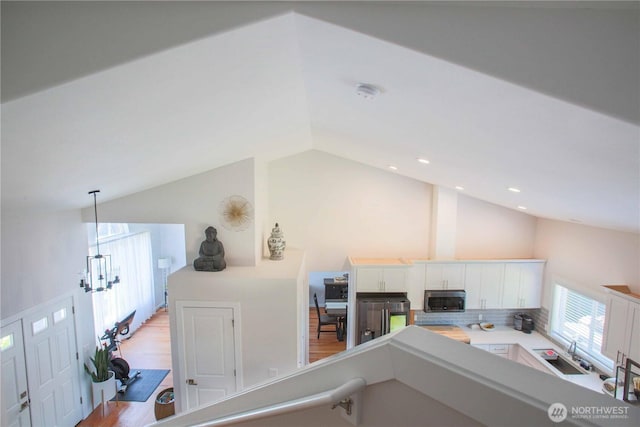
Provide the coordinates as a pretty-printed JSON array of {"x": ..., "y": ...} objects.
[{"x": 534, "y": 340}]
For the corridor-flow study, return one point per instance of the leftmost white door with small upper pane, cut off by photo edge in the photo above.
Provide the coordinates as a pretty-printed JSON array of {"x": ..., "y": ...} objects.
[{"x": 15, "y": 396}]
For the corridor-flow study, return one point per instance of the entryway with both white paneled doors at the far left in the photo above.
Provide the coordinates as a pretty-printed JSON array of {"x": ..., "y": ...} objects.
[{"x": 41, "y": 347}]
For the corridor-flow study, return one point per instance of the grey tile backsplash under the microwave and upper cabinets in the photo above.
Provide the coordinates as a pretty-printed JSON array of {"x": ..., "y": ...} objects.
[{"x": 497, "y": 317}]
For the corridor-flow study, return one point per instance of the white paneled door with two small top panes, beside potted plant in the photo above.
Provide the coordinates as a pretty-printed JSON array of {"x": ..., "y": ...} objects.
[{"x": 52, "y": 365}]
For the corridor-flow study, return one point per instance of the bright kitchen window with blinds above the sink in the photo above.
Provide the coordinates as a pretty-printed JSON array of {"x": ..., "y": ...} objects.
[{"x": 579, "y": 318}]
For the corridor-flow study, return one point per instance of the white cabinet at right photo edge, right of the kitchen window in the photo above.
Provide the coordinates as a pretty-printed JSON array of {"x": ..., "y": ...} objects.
[{"x": 621, "y": 329}]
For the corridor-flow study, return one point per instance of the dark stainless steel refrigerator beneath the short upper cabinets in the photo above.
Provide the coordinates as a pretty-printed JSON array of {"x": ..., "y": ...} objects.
[{"x": 378, "y": 314}]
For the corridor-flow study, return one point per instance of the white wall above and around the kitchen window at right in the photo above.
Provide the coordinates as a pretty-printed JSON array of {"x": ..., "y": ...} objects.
[{"x": 587, "y": 257}]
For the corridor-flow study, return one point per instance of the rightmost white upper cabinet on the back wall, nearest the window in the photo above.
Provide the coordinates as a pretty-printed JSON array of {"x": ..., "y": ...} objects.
[{"x": 522, "y": 284}]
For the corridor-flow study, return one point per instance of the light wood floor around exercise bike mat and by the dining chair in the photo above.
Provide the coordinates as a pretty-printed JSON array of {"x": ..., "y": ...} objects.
[{"x": 150, "y": 348}]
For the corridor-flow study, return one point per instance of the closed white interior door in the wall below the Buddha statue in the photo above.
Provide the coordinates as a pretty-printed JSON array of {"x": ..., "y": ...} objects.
[{"x": 208, "y": 353}]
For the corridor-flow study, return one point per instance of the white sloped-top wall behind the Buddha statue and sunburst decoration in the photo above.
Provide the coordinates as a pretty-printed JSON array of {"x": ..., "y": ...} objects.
[{"x": 194, "y": 202}]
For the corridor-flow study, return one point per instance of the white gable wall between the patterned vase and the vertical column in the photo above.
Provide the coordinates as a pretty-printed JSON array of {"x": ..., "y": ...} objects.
[{"x": 334, "y": 208}]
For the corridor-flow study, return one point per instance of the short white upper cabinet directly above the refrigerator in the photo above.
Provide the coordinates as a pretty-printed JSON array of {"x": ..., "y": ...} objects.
[{"x": 380, "y": 274}]
